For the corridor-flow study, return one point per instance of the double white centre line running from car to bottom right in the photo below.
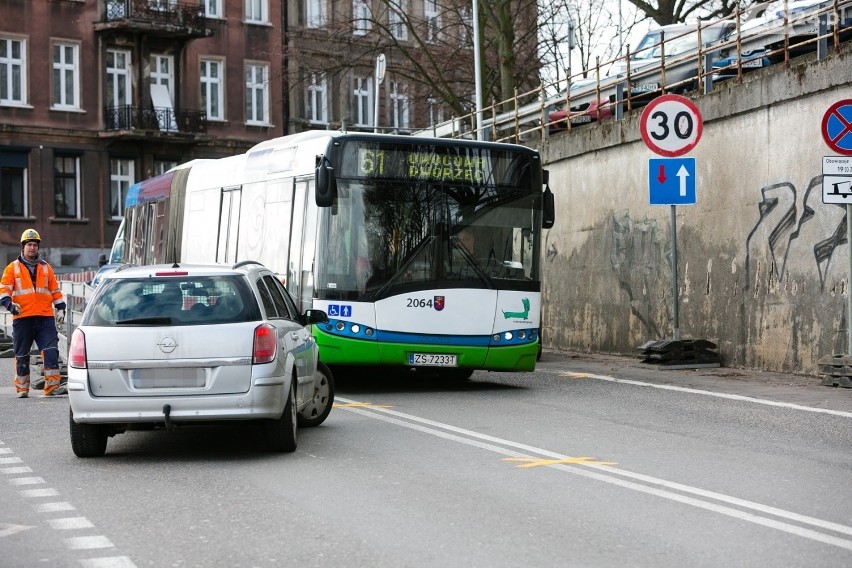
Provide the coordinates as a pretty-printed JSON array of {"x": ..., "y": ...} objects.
[{"x": 608, "y": 475}]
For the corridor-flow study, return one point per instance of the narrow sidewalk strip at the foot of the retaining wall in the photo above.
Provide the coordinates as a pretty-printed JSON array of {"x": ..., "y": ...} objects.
[{"x": 803, "y": 390}]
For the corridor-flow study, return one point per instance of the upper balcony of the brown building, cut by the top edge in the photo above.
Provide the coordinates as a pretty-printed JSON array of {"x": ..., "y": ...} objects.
[{"x": 161, "y": 18}]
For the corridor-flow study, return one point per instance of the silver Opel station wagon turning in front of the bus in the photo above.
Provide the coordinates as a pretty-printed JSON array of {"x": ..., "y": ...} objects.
[{"x": 170, "y": 345}]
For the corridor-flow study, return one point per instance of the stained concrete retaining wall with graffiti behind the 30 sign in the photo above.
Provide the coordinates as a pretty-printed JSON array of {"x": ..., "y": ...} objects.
[{"x": 763, "y": 263}]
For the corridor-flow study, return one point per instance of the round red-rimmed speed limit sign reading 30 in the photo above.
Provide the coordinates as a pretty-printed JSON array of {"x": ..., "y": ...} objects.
[{"x": 671, "y": 125}]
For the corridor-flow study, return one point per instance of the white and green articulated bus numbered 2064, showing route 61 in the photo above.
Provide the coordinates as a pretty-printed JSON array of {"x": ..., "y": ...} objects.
[{"x": 425, "y": 253}]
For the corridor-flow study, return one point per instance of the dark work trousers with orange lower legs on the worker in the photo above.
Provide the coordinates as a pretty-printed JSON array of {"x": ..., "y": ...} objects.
[{"x": 42, "y": 331}]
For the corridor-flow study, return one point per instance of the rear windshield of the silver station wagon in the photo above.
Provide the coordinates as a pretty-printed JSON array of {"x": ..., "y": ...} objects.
[{"x": 173, "y": 300}]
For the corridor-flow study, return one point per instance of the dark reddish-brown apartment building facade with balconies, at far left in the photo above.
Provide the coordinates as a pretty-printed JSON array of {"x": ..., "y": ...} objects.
[{"x": 96, "y": 95}]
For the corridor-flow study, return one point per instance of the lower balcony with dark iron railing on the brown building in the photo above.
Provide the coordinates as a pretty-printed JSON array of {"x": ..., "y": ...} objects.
[{"x": 145, "y": 122}]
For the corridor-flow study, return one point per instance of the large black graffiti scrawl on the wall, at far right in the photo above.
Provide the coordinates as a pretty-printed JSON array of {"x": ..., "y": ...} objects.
[{"x": 782, "y": 227}]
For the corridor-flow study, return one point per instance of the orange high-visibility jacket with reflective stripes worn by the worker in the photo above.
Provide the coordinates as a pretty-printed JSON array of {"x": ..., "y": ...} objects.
[{"x": 35, "y": 300}]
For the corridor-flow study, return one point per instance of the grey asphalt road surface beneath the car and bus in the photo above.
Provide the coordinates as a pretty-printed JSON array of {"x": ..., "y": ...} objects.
[{"x": 590, "y": 461}]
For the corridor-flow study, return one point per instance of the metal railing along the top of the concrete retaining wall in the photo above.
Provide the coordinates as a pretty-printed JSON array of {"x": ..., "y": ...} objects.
[{"x": 594, "y": 93}]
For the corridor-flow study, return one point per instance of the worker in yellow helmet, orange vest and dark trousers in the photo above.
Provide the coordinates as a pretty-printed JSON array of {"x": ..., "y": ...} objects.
[{"x": 29, "y": 290}]
